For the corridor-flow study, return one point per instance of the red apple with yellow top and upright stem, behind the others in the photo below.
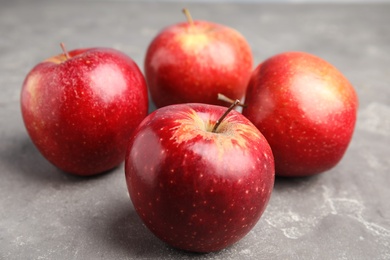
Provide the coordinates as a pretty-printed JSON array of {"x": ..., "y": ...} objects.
[{"x": 194, "y": 61}]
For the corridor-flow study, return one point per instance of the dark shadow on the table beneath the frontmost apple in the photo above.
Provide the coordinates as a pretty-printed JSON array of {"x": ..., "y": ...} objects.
[{"x": 126, "y": 234}]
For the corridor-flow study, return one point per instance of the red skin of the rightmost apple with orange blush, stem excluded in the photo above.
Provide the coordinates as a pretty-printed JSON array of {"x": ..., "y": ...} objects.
[{"x": 305, "y": 108}]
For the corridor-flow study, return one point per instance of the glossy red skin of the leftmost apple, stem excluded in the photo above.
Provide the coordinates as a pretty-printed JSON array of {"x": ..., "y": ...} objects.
[{"x": 81, "y": 111}]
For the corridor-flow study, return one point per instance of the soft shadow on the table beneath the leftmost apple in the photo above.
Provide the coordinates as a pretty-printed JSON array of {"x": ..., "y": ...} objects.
[{"x": 23, "y": 158}]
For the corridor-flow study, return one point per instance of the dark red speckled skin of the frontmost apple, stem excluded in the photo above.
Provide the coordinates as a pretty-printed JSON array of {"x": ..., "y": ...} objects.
[{"x": 196, "y": 190}]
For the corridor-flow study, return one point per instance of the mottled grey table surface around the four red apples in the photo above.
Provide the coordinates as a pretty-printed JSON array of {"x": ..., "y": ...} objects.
[{"x": 341, "y": 214}]
